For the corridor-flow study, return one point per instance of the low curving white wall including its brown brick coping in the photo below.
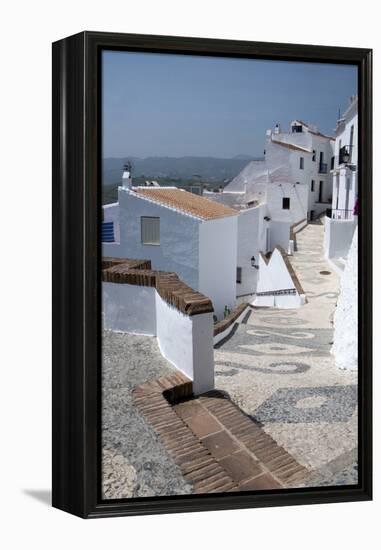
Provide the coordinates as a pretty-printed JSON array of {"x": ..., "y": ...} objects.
[{"x": 143, "y": 301}]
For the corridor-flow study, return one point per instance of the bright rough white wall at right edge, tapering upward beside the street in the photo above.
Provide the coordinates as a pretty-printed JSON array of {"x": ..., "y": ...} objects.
[{"x": 346, "y": 315}]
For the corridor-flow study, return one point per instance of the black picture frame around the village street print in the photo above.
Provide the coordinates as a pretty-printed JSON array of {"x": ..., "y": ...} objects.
[{"x": 76, "y": 273}]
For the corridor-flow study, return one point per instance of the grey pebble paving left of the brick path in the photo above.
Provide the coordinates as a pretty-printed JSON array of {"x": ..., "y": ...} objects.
[{"x": 135, "y": 462}]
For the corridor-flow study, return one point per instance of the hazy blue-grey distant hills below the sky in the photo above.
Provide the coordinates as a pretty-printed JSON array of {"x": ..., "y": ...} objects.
[{"x": 208, "y": 169}]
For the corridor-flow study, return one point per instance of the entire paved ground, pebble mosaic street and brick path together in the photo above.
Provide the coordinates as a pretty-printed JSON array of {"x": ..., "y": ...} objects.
[{"x": 276, "y": 367}]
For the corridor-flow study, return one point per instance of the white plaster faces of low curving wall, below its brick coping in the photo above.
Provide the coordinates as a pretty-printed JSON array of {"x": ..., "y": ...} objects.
[{"x": 185, "y": 341}]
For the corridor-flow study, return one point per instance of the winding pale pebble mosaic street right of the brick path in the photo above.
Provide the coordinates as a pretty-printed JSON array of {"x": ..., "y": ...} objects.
[{"x": 278, "y": 368}]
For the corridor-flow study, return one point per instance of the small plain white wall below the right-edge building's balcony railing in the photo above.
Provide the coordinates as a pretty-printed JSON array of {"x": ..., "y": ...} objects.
[{"x": 338, "y": 236}]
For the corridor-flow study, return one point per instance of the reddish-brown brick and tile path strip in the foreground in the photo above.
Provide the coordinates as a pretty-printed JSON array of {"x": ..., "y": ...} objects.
[{"x": 217, "y": 447}]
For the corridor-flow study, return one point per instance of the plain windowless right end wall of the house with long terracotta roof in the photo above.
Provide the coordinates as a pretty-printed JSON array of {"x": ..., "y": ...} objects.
[{"x": 218, "y": 262}]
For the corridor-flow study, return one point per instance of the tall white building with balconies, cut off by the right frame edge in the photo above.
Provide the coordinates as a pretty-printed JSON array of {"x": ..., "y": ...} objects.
[{"x": 341, "y": 220}]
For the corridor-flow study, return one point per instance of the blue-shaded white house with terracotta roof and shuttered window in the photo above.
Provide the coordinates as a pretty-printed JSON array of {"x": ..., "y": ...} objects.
[{"x": 182, "y": 233}]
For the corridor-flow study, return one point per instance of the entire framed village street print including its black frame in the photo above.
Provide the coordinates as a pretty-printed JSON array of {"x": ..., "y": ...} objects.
[{"x": 212, "y": 274}]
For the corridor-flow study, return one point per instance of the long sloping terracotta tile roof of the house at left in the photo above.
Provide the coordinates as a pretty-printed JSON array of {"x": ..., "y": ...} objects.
[{"x": 186, "y": 202}]
